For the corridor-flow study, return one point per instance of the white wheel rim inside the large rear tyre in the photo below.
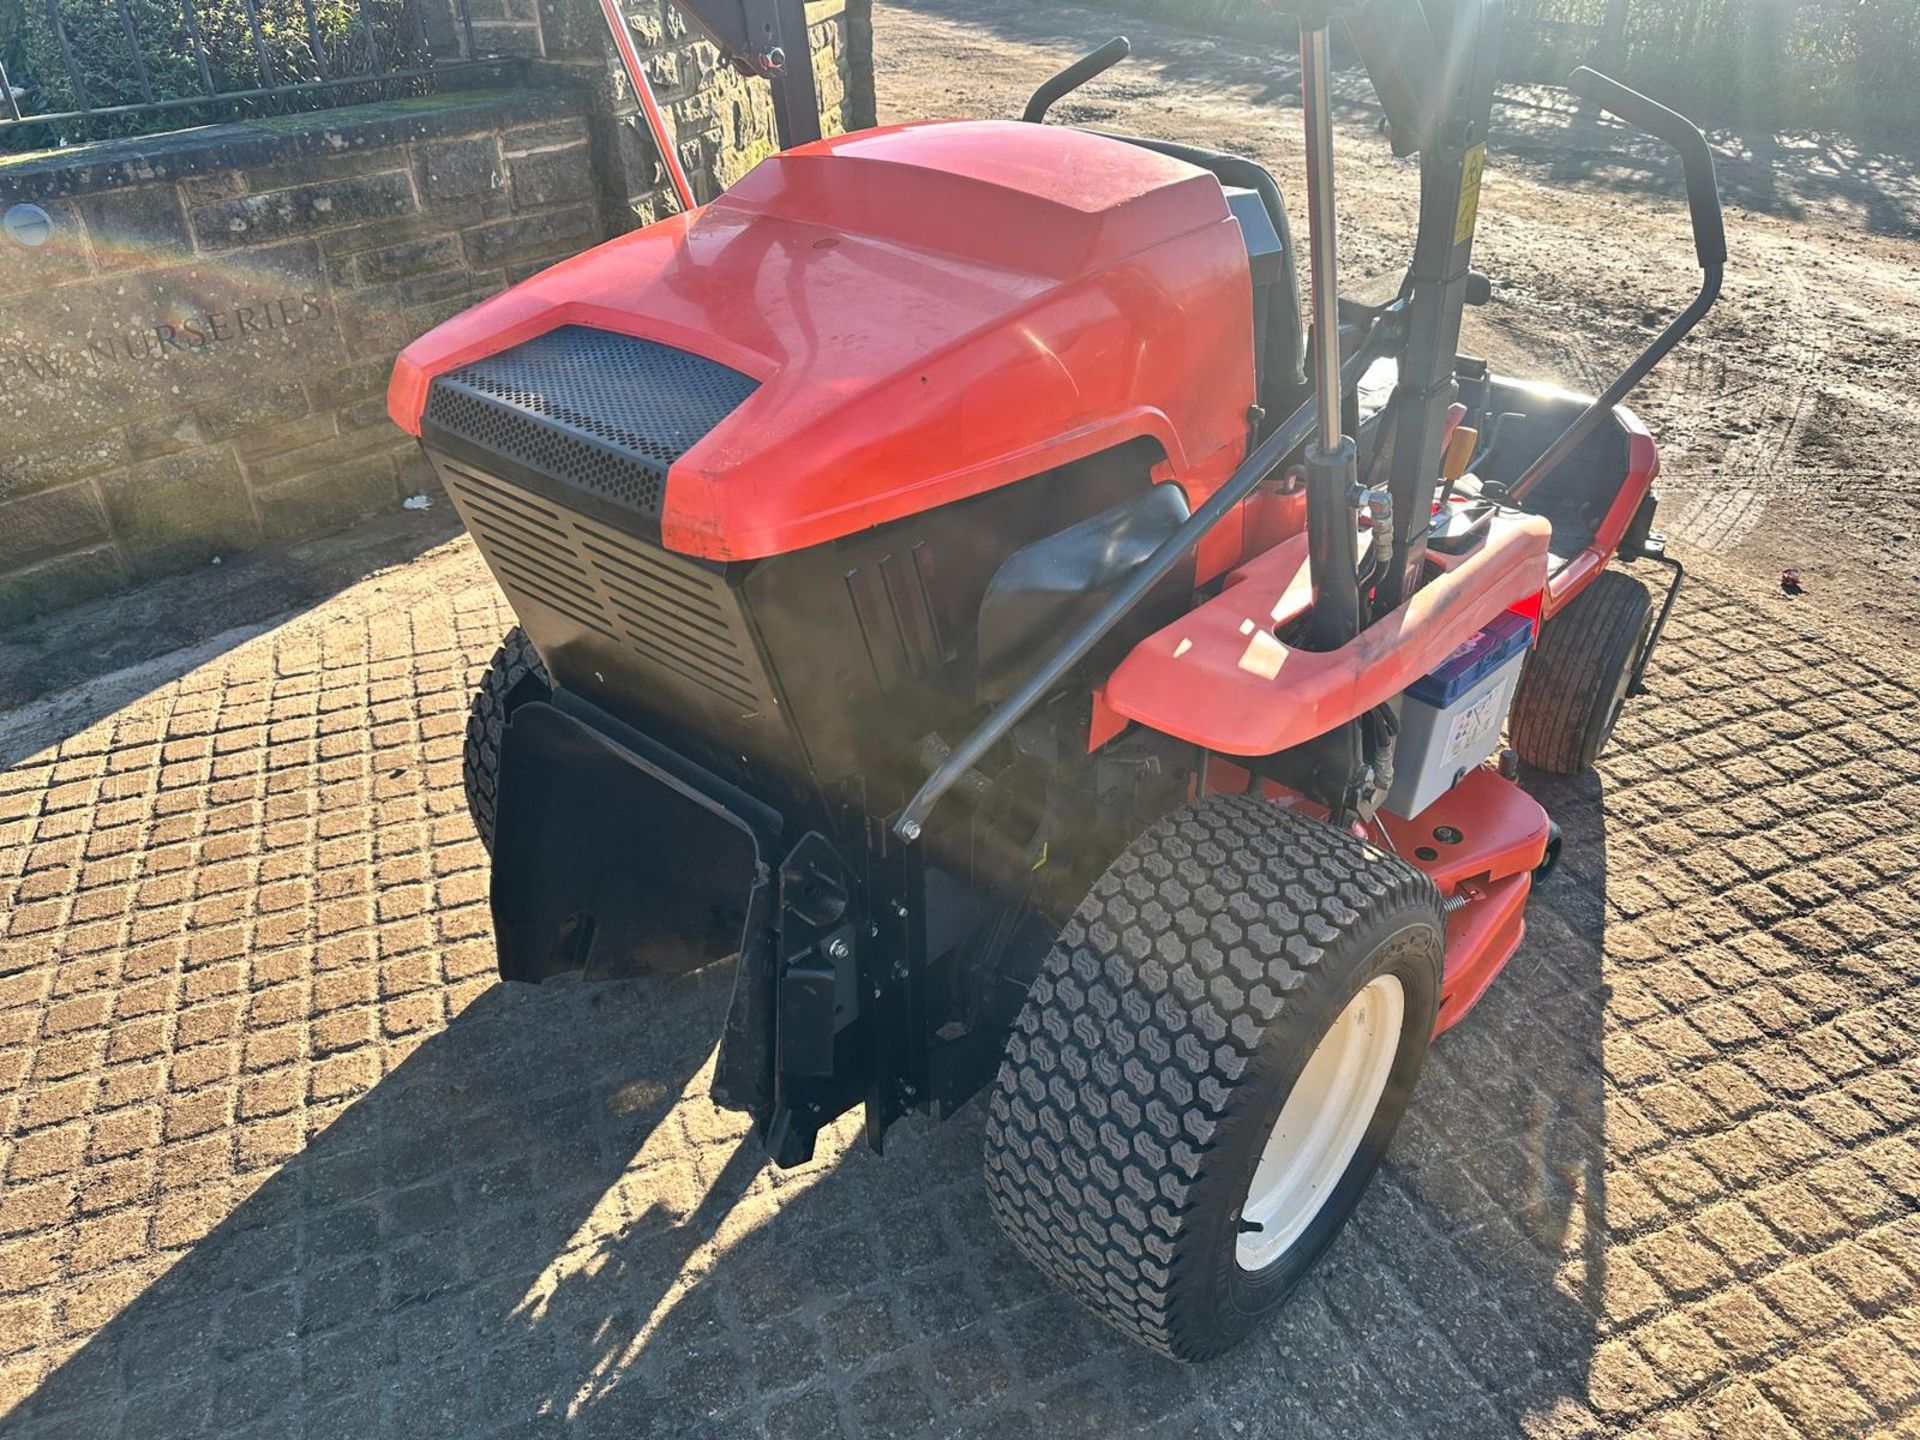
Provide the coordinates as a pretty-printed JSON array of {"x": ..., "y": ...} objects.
[{"x": 1322, "y": 1124}]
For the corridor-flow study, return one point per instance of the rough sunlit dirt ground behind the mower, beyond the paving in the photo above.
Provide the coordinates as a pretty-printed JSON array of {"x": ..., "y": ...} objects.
[{"x": 1787, "y": 421}]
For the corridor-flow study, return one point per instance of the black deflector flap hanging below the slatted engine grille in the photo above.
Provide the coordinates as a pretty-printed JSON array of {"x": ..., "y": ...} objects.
[{"x": 617, "y": 857}]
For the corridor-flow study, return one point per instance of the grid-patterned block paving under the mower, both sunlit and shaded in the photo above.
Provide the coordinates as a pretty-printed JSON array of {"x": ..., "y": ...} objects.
[{"x": 281, "y": 1157}]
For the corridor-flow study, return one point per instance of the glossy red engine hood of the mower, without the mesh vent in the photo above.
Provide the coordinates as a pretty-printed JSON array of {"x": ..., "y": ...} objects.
[{"x": 930, "y": 310}]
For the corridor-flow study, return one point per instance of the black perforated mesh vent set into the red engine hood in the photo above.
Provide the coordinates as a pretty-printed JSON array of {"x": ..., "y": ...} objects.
[{"x": 602, "y": 412}]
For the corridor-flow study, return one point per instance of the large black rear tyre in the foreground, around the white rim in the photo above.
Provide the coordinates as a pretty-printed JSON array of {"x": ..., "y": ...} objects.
[{"x": 1161, "y": 1042}]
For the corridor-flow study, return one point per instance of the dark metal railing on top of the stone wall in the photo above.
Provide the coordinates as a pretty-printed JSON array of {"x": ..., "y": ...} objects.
[{"x": 114, "y": 66}]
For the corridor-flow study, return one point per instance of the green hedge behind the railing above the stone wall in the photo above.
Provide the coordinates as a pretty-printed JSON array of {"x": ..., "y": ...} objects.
[{"x": 108, "y": 74}]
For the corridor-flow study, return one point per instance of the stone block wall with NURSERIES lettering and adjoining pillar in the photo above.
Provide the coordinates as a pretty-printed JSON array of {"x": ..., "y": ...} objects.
[{"x": 193, "y": 362}]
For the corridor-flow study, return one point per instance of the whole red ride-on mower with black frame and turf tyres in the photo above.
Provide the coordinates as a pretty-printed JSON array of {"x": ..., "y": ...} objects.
[{"x": 957, "y": 579}]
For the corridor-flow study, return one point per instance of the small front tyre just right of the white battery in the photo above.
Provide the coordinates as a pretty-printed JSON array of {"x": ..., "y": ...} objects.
[{"x": 1575, "y": 683}]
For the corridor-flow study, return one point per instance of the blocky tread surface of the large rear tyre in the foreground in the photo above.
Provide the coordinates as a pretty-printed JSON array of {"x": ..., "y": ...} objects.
[{"x": 1143, "y": 1020}]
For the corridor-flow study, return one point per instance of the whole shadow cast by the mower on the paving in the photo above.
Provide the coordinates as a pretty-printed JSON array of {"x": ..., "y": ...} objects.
[{"x": 540, "y": 1226}]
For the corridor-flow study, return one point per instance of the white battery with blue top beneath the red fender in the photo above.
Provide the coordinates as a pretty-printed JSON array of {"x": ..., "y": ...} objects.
[{"x": 1451, "y": 719}]
